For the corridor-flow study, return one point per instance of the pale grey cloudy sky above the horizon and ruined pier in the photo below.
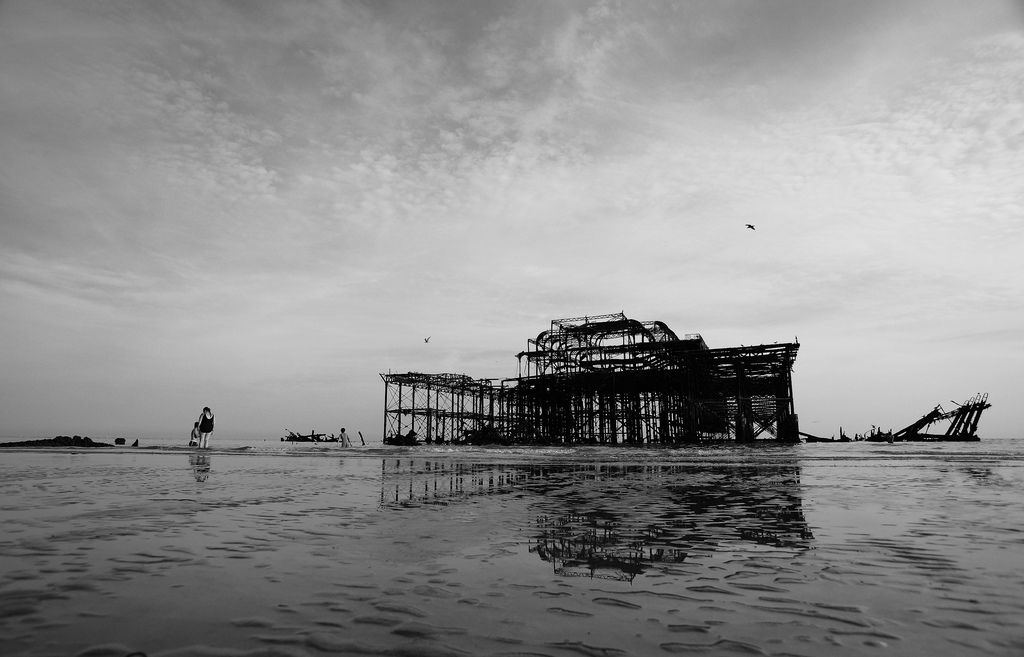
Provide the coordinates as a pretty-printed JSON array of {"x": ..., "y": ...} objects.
[{"x": 262, "y": 206}]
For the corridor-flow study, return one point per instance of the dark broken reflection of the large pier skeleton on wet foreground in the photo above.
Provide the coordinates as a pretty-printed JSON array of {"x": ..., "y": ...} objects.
[{"x": 617, "y": 521}]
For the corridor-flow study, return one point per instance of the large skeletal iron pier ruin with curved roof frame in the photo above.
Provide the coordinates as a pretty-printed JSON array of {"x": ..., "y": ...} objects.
[{"x": 605, "y": 380}]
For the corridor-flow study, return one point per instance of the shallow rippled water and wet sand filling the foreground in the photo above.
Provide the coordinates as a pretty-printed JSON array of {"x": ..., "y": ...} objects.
[{"x": 289, "y": 550}]
